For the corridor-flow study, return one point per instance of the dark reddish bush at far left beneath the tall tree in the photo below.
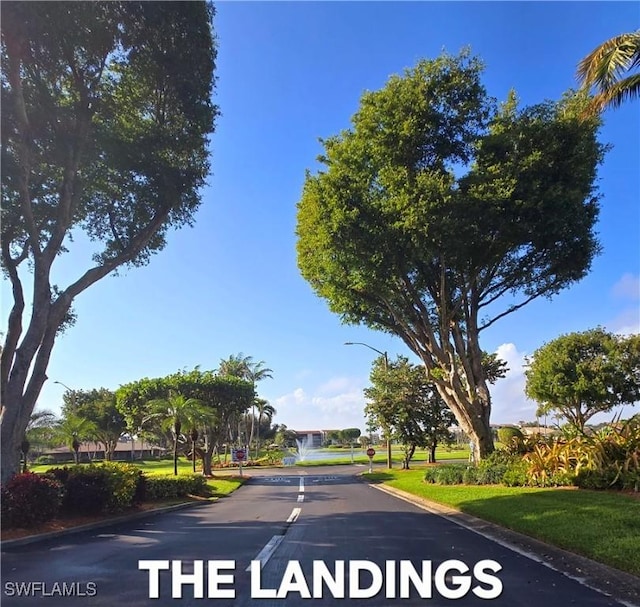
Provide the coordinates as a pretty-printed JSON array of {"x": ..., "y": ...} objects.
[{"x": 30, "y": 499}]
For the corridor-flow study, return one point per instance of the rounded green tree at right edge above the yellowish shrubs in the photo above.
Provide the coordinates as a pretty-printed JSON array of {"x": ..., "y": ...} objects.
[{"x": 580, "y": 374}]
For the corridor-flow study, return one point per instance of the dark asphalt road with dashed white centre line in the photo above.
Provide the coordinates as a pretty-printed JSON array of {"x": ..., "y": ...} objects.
[{"x": 302, "y": 525}]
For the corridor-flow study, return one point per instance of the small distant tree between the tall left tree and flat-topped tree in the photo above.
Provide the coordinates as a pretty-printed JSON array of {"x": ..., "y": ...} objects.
[{"x": 99, "y": 407}]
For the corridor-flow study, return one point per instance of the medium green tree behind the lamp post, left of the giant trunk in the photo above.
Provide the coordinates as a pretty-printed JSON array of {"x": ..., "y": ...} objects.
[{"x": 402, "y": 400}]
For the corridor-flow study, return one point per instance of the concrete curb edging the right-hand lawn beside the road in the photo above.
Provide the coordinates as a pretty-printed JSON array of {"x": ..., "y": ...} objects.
[{"x": 619, "y": 585}]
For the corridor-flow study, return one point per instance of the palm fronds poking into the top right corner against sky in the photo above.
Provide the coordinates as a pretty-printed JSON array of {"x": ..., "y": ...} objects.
[{"x": 604, "y": 69}]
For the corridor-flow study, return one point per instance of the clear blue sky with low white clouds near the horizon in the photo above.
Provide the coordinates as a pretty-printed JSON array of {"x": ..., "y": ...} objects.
[{"x": 287, "y": 75}]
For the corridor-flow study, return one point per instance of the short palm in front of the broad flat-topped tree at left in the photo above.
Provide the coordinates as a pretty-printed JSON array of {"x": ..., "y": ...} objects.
[{"x": 174, "y": 412}]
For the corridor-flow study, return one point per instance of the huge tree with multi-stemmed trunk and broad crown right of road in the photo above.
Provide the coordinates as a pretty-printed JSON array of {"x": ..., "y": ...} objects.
[{"x": 439, "y": 212}]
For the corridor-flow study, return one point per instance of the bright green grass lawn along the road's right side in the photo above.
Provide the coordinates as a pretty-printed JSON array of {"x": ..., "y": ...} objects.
[{"x": 604, "y": 526}]
